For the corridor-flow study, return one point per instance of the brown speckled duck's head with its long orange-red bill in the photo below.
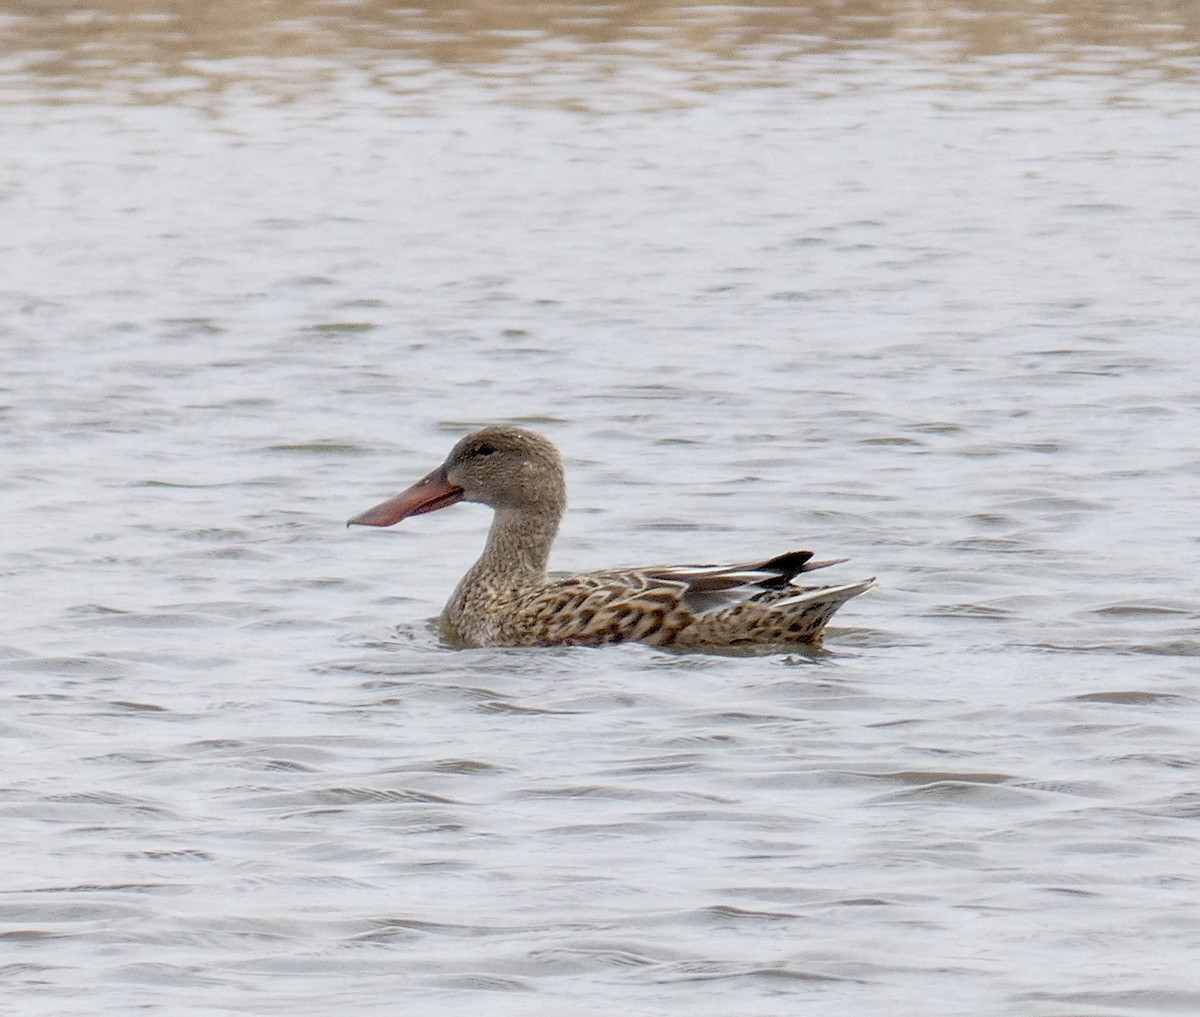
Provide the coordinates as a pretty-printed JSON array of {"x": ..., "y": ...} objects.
[{"x": 509, "y": 468}]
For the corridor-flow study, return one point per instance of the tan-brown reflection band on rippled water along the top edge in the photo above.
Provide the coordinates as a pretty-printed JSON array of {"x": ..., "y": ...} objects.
[{"x": 201, "y": 46}]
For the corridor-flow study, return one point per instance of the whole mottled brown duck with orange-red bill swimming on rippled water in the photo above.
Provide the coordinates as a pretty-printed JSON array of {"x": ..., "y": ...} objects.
[{"x": 509, "y": 599}]
